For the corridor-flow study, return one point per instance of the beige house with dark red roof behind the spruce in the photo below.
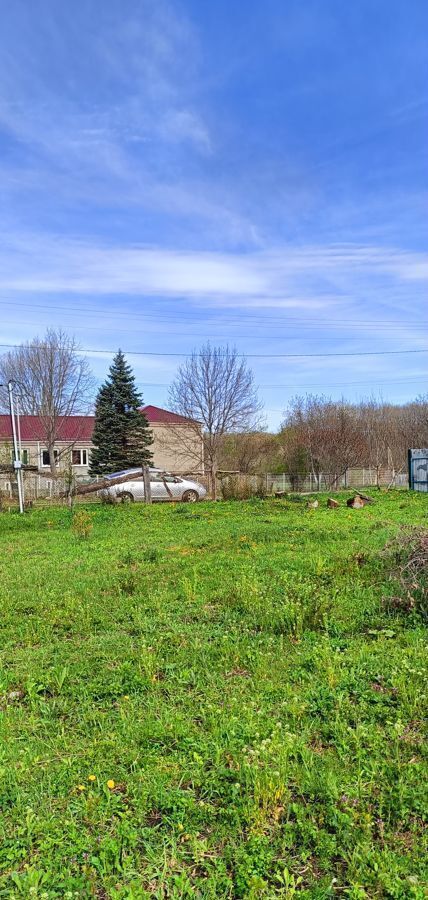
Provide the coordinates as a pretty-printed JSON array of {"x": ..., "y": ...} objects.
[{"x": 177, "y": 441}]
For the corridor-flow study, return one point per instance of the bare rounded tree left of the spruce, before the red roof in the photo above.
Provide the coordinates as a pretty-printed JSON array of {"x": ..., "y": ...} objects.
[{"x": 52, "y": 381}]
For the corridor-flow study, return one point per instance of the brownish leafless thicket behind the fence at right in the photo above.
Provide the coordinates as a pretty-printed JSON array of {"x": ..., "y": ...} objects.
[{"x": 321, "y": 436}]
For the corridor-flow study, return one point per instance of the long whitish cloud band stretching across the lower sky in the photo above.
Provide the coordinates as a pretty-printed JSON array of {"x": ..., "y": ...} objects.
[{"x": 308, "y": 277}]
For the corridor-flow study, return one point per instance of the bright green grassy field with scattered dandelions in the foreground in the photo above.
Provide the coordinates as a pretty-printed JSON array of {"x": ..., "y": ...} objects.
[{"x": 210, "y": 701}]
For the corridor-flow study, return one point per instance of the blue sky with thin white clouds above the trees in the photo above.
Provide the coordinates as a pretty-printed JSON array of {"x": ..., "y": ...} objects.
[{"x": 253, "y": 173}]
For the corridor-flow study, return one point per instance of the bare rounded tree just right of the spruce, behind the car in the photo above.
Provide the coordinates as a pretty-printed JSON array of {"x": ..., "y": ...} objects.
[{"x": 215, "y": 390}]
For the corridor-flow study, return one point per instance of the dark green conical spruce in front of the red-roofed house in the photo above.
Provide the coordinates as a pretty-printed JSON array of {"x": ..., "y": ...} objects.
[{"x": 122, "y": 436}]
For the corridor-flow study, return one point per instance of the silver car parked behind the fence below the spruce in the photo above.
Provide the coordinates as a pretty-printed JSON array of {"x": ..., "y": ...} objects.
[{"x": 164, "y": 487}]
